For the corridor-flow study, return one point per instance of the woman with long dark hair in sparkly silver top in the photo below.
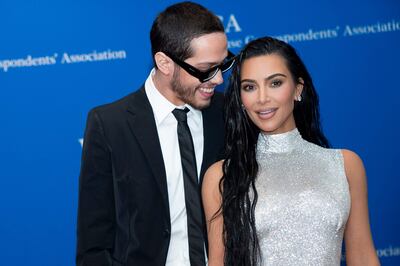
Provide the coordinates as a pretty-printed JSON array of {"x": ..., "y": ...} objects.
[{"x": 281, "y": 197}]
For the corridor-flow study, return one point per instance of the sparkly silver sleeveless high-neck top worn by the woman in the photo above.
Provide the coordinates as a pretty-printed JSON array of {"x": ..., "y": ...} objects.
[{"x": 303, "y": 201}]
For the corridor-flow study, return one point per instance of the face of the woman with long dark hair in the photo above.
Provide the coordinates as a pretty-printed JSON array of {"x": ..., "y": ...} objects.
[{"x": 268, "y": 92}]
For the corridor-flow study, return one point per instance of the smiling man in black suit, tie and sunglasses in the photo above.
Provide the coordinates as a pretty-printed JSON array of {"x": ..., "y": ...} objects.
[{"x": 135, "y": 200}]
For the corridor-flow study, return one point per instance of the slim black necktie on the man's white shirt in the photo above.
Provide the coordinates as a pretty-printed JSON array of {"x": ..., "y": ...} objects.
[{"x": 192, "y": 190}]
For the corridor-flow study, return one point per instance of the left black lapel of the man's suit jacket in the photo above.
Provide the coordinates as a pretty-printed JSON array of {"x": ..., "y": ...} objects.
[{"x": 142, "y": 124}]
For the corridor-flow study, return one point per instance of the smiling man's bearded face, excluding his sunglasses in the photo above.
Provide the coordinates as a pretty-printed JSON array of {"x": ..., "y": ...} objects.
[{"x": 208, "y": 50}]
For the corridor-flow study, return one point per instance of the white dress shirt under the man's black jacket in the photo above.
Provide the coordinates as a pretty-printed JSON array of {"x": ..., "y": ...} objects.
[{"x": 178, "y": 252}]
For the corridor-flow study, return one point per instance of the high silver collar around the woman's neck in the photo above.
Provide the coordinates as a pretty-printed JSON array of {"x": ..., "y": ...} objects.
[{"x": 279, "y": 143}]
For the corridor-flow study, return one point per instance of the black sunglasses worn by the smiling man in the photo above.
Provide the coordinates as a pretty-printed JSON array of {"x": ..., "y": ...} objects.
[{"x": 209, "y": 74}]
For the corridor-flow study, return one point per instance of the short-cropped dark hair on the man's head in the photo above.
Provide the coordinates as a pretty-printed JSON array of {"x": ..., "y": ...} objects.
[{"x": 178, "y": 25}]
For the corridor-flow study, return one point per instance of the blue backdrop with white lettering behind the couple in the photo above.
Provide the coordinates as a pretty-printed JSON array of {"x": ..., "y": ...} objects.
[{"x": 60, "y": 58}]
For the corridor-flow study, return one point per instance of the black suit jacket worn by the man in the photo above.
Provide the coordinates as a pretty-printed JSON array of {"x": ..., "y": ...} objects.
[{"x": 123, "y": 213}]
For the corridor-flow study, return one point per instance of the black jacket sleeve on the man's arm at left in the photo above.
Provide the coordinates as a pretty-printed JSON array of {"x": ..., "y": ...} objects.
[{"x": 96, "y": 211}]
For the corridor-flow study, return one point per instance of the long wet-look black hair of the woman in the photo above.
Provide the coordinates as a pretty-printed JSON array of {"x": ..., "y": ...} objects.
[{"x": 239, "y": 194}]
